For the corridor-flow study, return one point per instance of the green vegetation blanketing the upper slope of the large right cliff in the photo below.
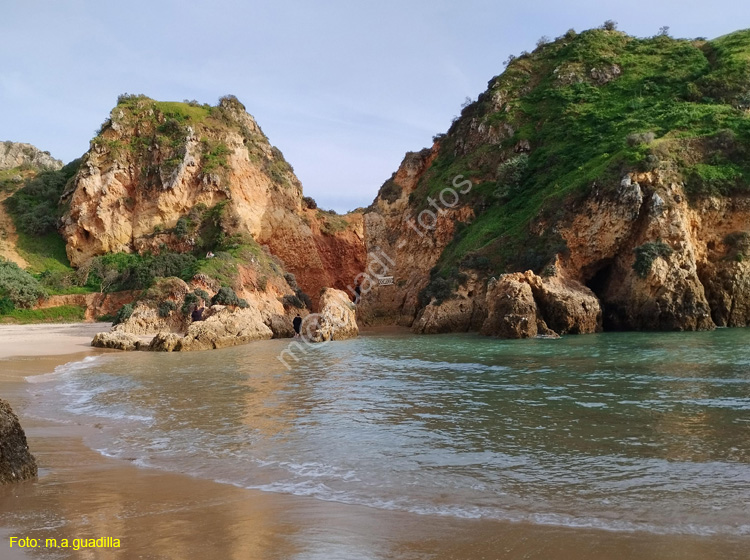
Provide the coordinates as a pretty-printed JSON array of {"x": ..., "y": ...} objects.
[{"x": 577, "y": 114}]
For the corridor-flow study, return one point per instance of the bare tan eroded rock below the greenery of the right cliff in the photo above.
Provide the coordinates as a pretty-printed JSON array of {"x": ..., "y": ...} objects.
[{"x": 697, "y": 282}]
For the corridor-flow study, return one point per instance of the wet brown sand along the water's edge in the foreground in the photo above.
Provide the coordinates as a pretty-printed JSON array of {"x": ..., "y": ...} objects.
[{"x": 156, "y": 515}]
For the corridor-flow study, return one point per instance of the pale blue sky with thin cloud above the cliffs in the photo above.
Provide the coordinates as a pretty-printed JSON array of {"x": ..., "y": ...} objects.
[{"x": 343, "y": 88}]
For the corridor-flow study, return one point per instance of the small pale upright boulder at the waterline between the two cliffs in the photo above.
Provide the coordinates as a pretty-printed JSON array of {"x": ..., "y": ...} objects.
[{"x": 337, "y": 319}]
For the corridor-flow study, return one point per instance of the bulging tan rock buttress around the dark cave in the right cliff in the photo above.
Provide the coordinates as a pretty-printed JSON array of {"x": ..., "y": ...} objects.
[{"x": 605, "y": 238}]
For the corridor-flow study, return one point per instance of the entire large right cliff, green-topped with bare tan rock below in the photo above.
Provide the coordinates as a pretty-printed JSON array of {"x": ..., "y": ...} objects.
[{"x": 602, "y": 181}]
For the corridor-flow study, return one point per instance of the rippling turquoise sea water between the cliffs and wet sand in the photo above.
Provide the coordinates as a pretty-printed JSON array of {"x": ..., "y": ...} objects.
[{"x": 620, "y": 431}]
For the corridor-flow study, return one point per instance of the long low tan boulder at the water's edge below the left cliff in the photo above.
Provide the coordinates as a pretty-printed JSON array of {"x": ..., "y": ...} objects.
[{"x": 222, "y": 327}]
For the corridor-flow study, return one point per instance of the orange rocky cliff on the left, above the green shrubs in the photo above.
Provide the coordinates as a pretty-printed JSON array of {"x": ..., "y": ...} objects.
[{"x": 178, "y": 177}]
